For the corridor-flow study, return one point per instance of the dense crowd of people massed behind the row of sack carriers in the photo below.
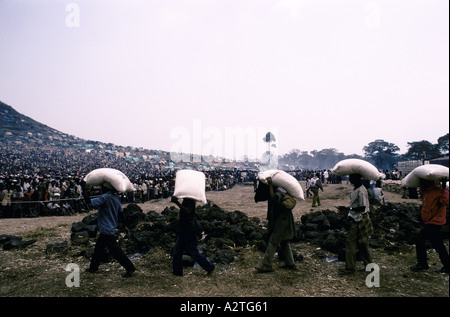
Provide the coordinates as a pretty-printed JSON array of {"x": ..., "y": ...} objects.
[{"x": 41, "y": 182}]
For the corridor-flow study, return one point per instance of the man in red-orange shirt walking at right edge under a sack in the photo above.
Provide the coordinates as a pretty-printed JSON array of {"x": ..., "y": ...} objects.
[{"x": 434, "y": 202}]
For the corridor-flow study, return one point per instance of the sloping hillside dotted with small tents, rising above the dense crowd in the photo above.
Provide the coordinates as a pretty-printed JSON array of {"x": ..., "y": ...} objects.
[{"x": 22, "y": 134}]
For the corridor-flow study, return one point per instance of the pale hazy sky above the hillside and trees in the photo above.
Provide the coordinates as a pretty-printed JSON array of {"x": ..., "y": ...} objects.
[{"x": 213, "y": 76}]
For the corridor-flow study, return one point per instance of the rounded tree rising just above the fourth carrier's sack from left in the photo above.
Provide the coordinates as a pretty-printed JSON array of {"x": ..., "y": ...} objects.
[{"x": 381, "y": 153}]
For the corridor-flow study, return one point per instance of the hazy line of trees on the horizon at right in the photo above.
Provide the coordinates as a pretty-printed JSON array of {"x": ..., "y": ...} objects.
[{"x": 384, "y": 155}]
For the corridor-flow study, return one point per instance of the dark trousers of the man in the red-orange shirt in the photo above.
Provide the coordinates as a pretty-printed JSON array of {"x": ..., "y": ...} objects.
[{"x": 432, "y": 233}]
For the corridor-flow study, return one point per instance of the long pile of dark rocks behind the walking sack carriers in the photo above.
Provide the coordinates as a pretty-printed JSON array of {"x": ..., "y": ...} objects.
[{"x": 396, "y": 225}]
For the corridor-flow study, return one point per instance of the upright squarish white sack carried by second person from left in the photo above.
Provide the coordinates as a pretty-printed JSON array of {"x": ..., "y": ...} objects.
[{"x": 190, "y": 184}]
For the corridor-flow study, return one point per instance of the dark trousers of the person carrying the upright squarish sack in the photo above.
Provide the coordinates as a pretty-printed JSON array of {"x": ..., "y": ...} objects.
[{"x": 188, "y": 242}]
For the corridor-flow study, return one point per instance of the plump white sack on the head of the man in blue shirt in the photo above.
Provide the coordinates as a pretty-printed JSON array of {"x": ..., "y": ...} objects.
[{"x": 109, "y": 177}]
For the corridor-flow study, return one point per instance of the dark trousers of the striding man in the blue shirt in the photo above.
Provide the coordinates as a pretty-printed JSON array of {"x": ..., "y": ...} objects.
[{"x": 110, "y": 242}]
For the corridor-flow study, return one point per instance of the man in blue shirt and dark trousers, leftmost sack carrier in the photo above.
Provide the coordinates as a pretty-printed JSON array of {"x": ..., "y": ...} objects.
[{"x": 109, "y": 210}]
